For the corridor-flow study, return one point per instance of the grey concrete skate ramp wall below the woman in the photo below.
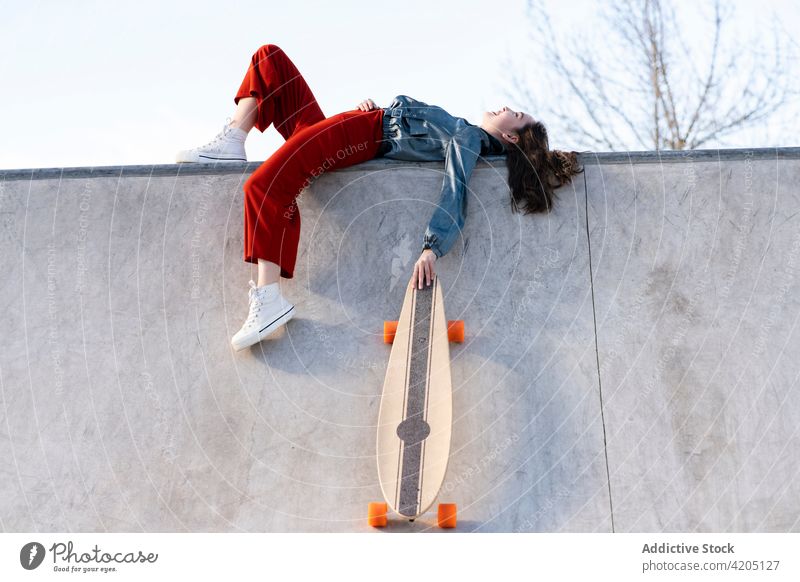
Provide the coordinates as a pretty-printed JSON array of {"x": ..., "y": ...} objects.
[{"x": 630, "y": 364}]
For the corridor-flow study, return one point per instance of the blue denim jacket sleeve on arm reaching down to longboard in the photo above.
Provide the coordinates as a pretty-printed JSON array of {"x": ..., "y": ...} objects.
[{"x": 461, "y": 155}]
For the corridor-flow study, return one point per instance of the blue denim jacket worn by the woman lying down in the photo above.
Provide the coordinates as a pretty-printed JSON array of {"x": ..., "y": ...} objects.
[{"x": 416, "y": 131}]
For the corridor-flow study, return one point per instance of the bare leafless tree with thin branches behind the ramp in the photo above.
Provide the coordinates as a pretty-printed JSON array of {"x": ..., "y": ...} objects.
[{"x": 642, "y": 88}]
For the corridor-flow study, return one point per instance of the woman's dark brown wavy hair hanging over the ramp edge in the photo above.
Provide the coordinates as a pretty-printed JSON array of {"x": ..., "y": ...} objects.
[{"x": 535, "y": 172}]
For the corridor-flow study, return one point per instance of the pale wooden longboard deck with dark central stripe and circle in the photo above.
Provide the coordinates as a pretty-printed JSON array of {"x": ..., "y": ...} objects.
[{"x": 416, "y": 414}]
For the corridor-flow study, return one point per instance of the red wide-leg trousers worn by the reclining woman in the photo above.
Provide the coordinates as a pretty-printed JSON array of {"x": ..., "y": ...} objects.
[{"x": 314, "y": 145}]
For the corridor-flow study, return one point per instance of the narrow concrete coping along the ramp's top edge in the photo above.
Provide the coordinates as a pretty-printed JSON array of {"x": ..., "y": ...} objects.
[{"x": 586, "y": 158}]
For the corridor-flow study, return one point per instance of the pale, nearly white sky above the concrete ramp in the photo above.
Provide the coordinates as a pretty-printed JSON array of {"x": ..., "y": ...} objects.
[{"x": 95, "y": 83}]
